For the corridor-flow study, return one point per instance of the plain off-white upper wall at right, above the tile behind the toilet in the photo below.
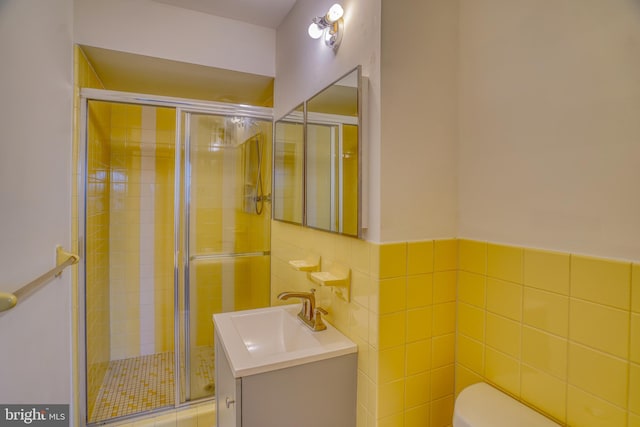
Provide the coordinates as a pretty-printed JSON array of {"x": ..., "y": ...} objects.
[{"x": 550, "y": 124}]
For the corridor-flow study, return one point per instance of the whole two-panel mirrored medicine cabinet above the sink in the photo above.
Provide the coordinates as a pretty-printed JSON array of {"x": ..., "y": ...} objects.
[{"x": 317, "y": 160}]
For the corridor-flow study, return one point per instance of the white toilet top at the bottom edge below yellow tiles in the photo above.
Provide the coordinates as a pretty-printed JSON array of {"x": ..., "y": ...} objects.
[{"x": 481, "y": 405}]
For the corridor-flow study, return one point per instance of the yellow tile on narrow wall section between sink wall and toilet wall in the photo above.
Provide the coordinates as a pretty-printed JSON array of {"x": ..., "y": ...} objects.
[{"x": 416, "y": 284}]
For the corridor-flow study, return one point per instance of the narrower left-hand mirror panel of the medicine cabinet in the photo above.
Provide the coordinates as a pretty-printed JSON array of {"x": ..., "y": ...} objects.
[{"x": 289, "y": 167}]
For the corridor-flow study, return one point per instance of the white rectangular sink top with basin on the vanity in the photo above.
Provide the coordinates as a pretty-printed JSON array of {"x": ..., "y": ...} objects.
[{"x": 267, "y": 339}]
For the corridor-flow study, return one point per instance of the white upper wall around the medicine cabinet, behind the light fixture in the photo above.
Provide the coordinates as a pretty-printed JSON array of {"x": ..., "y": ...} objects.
[{"x": 305, "y": 66}]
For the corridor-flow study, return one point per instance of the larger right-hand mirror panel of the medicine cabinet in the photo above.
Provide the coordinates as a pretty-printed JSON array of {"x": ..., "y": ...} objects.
[{"x": 332, "y": 157}]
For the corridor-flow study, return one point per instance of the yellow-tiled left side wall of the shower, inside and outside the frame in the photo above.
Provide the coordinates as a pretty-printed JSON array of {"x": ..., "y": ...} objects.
[{"x": 97, "y": 266}]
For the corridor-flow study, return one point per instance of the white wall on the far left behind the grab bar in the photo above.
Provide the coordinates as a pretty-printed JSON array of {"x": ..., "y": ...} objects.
[{"x": 35, "y": 196}]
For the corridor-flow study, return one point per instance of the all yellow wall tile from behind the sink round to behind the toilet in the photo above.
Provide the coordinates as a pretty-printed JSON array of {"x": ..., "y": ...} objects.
[{"x": 432, "y": 317}]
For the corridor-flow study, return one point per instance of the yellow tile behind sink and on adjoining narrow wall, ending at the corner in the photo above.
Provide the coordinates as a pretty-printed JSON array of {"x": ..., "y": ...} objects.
[{"x": 401, "y": 315}]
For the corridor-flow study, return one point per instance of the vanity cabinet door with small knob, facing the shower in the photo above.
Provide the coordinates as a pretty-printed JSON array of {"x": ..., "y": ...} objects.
[{"x": 228, "y": 392}]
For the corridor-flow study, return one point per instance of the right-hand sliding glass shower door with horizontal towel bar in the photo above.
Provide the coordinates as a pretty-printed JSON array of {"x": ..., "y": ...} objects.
[{"x": 227, "y": 175}]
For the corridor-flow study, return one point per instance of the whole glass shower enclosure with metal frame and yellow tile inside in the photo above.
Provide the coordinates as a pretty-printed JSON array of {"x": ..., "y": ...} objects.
[{"x": 176, "y": 228}]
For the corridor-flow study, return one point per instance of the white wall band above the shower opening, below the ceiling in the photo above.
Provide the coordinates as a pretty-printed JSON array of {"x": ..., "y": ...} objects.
[{"x": 145, "y": 27}]
